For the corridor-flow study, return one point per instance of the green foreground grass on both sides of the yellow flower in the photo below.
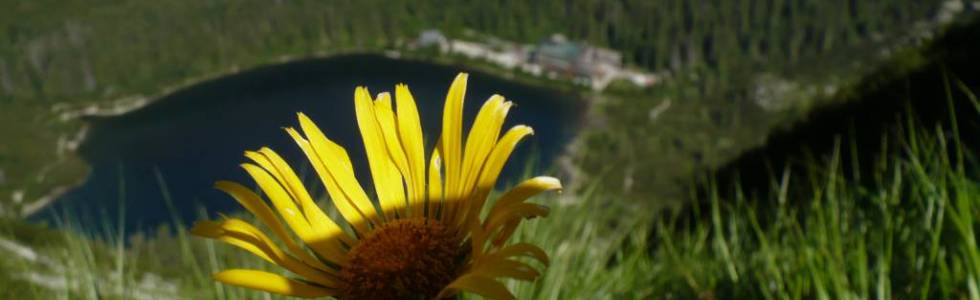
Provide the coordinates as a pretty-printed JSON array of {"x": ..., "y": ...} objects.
[{"x": 908, "y": 232}]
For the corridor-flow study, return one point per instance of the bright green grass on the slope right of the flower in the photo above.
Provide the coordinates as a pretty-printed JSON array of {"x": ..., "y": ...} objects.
[{"x": 909, "y": 234}]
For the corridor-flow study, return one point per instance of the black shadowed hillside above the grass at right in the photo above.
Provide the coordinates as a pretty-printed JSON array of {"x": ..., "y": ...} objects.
[{"x": 872, "y": 116}]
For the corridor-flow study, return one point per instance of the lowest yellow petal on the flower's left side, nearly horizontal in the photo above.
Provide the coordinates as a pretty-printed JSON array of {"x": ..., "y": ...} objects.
[{"x": 272, "y": 283}]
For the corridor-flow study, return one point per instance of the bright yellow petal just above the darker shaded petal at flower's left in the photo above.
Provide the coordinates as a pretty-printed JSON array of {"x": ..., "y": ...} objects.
[{"x": 327, "y": 247}]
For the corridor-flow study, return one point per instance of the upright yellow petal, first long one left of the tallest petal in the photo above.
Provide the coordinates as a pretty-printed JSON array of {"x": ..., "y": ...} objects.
[{"x": 410, "y": 131}]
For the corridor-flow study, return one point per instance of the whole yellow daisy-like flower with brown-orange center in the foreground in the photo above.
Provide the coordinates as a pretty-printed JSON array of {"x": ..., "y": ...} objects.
[{"x": 422, "y": 238}]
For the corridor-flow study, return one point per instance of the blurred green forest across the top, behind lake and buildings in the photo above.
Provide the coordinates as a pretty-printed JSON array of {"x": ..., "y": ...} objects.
[{"x": 63, "y": 50}]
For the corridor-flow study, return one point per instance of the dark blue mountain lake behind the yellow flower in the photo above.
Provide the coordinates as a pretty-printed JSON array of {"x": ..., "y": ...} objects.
[{"x": 179, "y": 146}]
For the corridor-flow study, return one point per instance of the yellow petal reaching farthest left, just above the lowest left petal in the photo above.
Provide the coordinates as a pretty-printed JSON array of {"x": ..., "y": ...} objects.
[{"x": 243, "y": 235}]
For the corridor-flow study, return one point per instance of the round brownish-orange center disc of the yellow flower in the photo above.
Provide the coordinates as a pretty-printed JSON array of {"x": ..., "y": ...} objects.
[{"x": 404, "y": 259}]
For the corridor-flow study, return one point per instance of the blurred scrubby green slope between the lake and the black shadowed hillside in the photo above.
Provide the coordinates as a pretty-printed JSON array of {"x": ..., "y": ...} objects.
[{"x": 660, "y": 139}]
